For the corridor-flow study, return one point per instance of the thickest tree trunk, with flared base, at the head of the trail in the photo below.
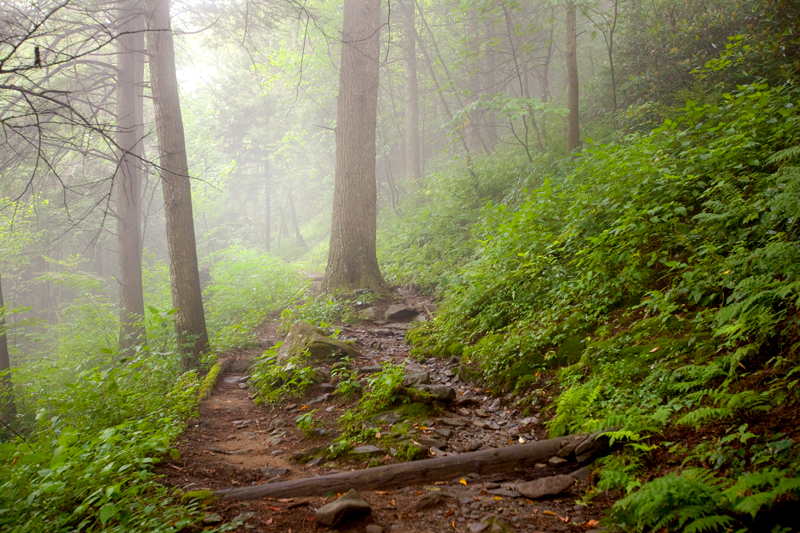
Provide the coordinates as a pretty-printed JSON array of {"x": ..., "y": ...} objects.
[{"x": 352, "y": 258}]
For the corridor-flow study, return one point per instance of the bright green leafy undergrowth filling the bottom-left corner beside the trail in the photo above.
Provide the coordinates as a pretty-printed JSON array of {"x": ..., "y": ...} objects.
[{"x": 87, "y": 461}]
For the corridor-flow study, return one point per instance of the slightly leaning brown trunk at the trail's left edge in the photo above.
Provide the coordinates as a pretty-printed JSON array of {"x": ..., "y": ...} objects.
[{"x": 190, "y": 322}]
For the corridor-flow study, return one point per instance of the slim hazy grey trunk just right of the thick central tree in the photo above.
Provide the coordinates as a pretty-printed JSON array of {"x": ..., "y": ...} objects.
[{"x": 413, "y": 167}]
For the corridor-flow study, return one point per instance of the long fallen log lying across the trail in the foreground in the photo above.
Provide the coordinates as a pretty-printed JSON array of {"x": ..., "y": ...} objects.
[{"x": 495, "y": 461}]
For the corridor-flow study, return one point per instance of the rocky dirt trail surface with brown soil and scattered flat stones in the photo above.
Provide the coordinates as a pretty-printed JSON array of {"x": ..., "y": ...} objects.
[{"x": 235, "y": 443}]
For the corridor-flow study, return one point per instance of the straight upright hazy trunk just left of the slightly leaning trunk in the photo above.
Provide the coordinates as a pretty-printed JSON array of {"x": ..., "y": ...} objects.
[{"x": 130, "y": 133}]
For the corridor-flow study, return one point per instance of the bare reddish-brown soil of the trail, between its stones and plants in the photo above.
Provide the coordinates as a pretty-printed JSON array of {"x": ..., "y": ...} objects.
[{"x": 215, "y": 455}]
